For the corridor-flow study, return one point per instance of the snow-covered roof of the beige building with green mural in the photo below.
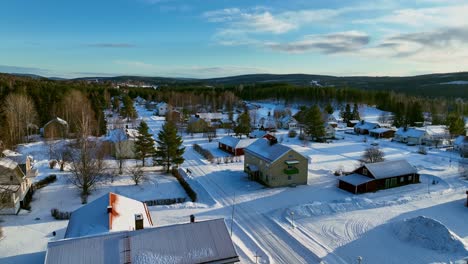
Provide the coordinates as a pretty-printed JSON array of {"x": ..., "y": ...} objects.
[{"x": 263, "y": 150}]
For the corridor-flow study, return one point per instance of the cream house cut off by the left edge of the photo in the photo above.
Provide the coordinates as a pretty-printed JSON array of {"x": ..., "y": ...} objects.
[{"x": 15, "y": 187}]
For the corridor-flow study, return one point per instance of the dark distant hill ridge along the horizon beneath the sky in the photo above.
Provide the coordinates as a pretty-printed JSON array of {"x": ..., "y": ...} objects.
[{"x": 443, "y": 84}]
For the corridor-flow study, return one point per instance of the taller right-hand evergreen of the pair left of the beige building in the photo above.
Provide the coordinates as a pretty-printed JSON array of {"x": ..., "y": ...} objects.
[{"x": 169, "y": 150}]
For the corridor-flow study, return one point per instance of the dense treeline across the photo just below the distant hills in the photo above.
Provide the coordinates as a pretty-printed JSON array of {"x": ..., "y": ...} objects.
[{"x": 66, "y": 99}]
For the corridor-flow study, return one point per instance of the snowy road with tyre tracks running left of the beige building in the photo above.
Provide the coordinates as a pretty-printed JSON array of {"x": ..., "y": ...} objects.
[{"x": 279, "y": 246}]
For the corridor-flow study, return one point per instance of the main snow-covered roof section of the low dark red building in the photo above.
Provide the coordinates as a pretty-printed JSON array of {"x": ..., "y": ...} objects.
[{"x": 388, "y": 169}]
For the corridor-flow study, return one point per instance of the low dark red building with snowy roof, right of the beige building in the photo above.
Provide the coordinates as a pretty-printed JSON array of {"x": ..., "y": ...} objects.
[{"x": 372, "y": 177}]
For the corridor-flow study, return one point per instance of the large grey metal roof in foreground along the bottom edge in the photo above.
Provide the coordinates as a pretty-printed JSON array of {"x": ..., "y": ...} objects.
[{"x": 199, "y": 242}]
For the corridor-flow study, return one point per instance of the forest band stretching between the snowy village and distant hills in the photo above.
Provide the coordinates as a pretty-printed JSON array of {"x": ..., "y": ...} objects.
[{"x": 29, "y": 103}]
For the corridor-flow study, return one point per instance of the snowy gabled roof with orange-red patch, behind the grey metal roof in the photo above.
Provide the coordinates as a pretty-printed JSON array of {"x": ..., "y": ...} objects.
[{"x": 93, "y": 218}]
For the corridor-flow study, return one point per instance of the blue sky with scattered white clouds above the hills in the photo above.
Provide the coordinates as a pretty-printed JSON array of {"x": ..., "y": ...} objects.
[{"x": 212, "y": 38}]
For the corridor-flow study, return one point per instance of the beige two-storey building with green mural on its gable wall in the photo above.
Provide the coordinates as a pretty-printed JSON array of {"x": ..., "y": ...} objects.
[{"x": 275, "y": 164}]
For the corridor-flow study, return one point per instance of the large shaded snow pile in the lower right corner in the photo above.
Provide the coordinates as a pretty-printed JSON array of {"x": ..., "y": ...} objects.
[{"x": 429, "y": 233}]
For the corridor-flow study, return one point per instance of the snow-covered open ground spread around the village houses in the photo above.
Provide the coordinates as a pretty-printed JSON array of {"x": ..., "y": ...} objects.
[{"x": 328, "y": 224}]
